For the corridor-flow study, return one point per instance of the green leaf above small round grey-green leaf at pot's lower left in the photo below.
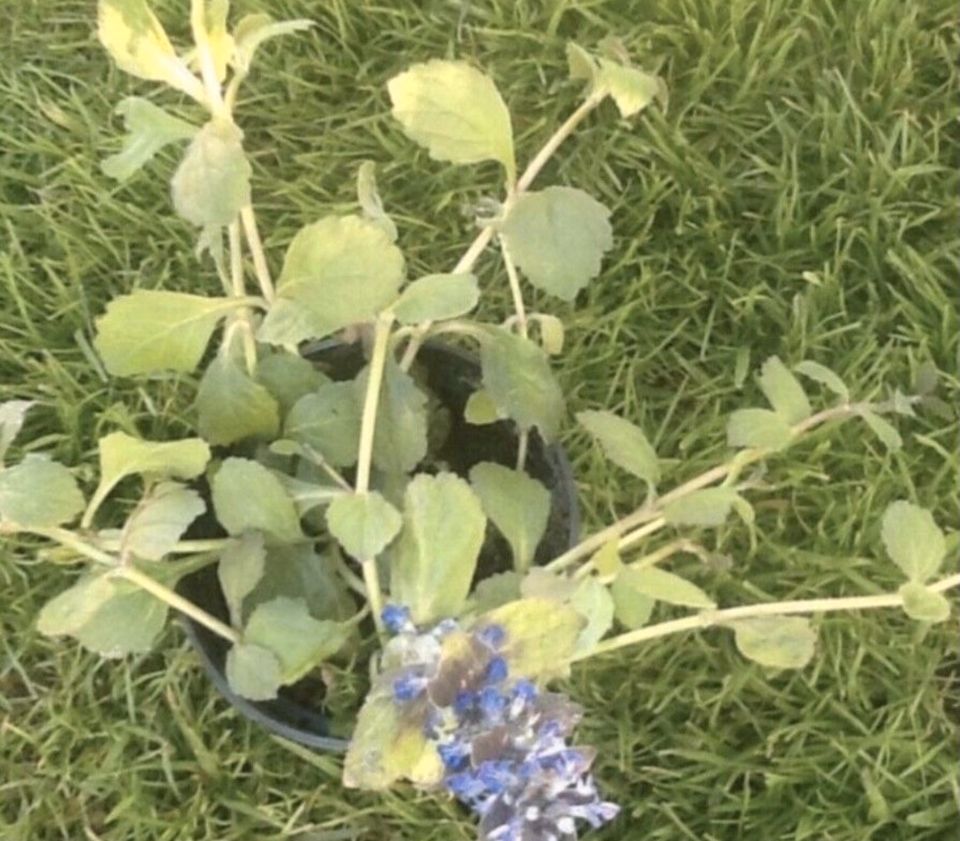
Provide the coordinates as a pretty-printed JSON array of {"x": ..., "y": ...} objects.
[{"x": 300, "y": 642}]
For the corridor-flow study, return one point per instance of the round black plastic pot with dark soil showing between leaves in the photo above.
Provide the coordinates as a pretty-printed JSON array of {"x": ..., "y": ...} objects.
[{"x": 452, "y": 375}]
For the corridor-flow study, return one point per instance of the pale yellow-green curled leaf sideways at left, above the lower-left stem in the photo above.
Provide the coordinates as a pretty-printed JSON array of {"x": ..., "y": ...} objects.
[{"x": 122, "y": 455}]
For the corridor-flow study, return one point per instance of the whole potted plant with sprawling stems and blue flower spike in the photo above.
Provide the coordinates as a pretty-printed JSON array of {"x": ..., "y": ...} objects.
[{"x": 371, "y": 515}]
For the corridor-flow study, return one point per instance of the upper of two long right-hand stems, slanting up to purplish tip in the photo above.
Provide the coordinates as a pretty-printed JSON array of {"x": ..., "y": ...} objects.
[{"x": 654, "y": 509}]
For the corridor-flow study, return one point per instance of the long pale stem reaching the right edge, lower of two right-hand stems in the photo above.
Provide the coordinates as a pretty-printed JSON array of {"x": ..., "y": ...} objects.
[{"x": 710, "y": 618}]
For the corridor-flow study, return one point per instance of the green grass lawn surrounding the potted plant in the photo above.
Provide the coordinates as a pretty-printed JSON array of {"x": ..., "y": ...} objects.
[{"x": 799, "y": 197}]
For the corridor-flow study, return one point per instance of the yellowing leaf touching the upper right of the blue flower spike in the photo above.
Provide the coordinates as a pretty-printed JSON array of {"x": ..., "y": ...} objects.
[{"x": 541, "y": 636}]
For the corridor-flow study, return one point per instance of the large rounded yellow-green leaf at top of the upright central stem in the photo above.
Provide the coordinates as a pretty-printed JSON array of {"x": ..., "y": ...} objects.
[{"x": 339, "y": 271}]
